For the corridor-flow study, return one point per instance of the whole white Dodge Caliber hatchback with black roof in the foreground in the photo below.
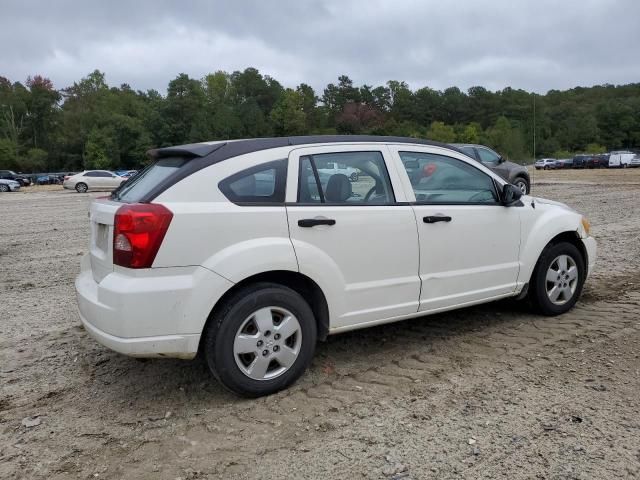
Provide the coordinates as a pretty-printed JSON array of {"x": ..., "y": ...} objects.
[{"x": 248, "y": 252}]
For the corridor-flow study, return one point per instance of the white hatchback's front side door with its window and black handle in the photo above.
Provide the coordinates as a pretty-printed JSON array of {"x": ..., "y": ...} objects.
[{"x": 469, "y": 242}]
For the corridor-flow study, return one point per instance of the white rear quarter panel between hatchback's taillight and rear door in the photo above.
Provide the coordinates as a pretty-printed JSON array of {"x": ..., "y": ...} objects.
[{"x": 231, "y": 240}]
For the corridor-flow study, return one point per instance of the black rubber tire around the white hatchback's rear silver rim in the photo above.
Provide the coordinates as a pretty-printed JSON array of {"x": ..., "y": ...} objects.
[{"x": 220, "y": 333}]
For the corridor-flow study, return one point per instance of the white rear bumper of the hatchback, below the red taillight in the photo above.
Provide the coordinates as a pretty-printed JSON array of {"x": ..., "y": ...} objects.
[{"x": 158, "y": 312}]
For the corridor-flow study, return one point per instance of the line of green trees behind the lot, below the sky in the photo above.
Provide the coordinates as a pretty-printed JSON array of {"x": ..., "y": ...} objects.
[{"x": 93, "y": 125}]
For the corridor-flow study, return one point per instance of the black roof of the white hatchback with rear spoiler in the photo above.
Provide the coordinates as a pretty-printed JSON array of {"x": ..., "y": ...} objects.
[{"x": 225, "y": 149}]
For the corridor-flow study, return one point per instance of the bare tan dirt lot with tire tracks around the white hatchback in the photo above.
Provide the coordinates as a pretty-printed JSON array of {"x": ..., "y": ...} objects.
[{"x": 487, "y": 392}]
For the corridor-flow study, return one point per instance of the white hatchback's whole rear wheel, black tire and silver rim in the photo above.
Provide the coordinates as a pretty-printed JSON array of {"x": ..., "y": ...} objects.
[{"x": 261, "y": 340}]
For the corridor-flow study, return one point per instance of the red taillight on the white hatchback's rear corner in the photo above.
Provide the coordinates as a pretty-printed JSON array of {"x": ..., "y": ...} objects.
[{"x": 138, "y": 231}]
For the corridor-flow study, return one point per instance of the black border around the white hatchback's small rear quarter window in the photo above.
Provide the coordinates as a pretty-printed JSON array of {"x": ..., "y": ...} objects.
[{"x": 278, "y": 196}]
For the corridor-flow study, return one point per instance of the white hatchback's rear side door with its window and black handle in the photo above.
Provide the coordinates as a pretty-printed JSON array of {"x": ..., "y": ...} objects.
[{"x": 356, "y": 238}]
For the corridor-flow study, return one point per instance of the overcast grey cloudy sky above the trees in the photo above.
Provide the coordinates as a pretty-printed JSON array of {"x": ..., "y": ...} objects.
[{"x": 536, "y": 45}]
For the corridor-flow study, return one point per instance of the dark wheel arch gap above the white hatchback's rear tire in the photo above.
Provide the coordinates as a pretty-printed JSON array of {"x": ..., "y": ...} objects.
[{"x": 300, "y": 283}]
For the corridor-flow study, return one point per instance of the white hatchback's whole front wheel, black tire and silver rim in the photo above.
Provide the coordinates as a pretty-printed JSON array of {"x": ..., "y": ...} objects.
[{"x": 557, "y": 281}]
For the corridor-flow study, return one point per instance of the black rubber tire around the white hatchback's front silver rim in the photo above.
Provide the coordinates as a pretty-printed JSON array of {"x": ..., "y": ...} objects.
[{"x": 538, "y": 283}]
